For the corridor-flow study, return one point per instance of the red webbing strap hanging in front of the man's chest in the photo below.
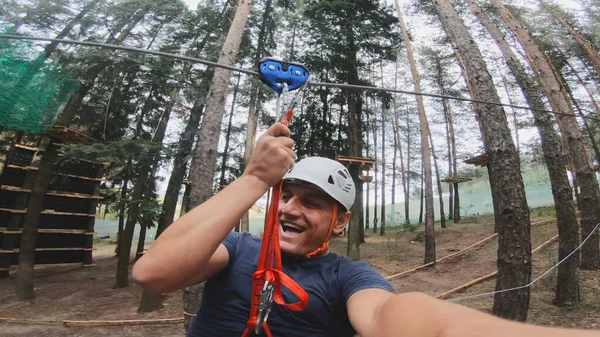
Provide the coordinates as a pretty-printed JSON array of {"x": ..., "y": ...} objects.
[{"x": 270, "y": 253}]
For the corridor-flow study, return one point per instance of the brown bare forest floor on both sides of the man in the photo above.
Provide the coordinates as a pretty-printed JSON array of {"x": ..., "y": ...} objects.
[{"x": 67, "y": 293}]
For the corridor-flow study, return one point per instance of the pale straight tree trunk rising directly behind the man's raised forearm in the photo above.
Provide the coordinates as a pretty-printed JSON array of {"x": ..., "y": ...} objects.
[{"x": 208, "y": 137}]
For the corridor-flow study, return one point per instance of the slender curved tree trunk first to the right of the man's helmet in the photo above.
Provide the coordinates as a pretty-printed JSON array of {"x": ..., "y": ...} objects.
[{"x": 425, "y": 151}]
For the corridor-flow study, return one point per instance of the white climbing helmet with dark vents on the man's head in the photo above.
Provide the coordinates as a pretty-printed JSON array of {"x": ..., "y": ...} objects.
[{"x": 328, "y": 175}]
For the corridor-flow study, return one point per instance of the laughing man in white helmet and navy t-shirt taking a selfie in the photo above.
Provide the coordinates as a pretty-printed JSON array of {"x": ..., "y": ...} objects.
[{"x": 345, "y": 297}]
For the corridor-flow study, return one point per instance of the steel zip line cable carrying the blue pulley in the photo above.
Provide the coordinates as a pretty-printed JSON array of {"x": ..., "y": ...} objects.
[{"x": 254, "y": 73}]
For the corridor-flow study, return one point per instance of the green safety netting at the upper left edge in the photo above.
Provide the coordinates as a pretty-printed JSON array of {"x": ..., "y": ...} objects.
[{"x": 33, "y": 90}]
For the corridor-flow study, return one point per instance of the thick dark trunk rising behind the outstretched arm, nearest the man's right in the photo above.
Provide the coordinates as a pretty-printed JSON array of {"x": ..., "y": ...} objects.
[{"x": 514, "y": 237}]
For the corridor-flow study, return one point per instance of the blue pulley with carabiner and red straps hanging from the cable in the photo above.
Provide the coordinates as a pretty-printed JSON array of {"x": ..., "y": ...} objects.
[{"x": 267, "y": 280}]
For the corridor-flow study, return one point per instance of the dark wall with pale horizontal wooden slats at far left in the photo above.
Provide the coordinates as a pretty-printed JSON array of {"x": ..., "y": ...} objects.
[{"x": 66, "y": 227}]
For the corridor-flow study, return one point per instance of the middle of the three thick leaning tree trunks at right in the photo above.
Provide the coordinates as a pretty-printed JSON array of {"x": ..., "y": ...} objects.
[{"x": 567, "y": 289}]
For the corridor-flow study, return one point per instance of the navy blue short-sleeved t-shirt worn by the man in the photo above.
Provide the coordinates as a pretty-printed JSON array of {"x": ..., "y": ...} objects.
[{"x": 329, "y": 280}]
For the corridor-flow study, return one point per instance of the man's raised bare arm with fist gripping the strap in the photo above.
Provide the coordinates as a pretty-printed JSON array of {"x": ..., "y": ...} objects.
[{"x": 189, "y": 251}]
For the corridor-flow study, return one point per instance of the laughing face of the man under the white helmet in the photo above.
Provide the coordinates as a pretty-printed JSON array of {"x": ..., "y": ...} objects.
[{"x": 304, "y": 218}]
